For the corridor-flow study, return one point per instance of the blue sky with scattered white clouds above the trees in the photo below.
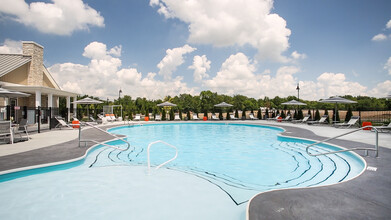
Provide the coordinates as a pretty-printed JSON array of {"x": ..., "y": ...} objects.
[{"x": 256, "y": 48}]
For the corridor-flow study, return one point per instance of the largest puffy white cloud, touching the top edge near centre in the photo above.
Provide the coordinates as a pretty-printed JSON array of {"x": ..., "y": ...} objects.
[{"x": 234, "y": 23}]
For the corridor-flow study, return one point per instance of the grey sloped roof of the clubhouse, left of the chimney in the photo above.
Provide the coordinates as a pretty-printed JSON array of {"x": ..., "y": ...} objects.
[{"x": 9, "y": 62}]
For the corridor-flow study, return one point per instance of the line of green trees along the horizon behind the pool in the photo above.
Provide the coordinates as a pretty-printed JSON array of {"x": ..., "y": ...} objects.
[{"x": 205, "y": 101}]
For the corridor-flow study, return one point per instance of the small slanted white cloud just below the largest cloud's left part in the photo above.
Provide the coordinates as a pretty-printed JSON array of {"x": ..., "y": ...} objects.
[{"x": 173, "y": 59}]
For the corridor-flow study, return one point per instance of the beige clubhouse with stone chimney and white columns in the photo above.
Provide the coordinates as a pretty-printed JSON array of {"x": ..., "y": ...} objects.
[{"x": 26, "y": 73}]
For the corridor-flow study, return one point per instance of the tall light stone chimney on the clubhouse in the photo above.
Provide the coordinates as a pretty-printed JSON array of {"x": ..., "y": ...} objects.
[{"x": 35, "y": 75}]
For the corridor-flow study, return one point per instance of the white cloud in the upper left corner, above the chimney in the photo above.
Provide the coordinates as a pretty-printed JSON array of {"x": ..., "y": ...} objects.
[{"x": 62, "y": 17}]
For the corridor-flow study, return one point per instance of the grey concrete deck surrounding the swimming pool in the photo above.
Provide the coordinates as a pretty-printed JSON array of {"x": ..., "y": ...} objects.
[{"x": 365, "y": 197}]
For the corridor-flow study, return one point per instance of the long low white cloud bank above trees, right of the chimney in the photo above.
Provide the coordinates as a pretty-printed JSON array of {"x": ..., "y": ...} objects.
[{"x": 103, "y": 76}]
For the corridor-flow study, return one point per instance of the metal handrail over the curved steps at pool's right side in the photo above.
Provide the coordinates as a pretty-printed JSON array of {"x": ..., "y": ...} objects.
[{"x": 376, "y": 149}]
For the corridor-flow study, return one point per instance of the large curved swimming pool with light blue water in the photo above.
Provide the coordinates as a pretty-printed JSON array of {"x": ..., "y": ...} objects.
[{"x": 218, "y": 169}]
